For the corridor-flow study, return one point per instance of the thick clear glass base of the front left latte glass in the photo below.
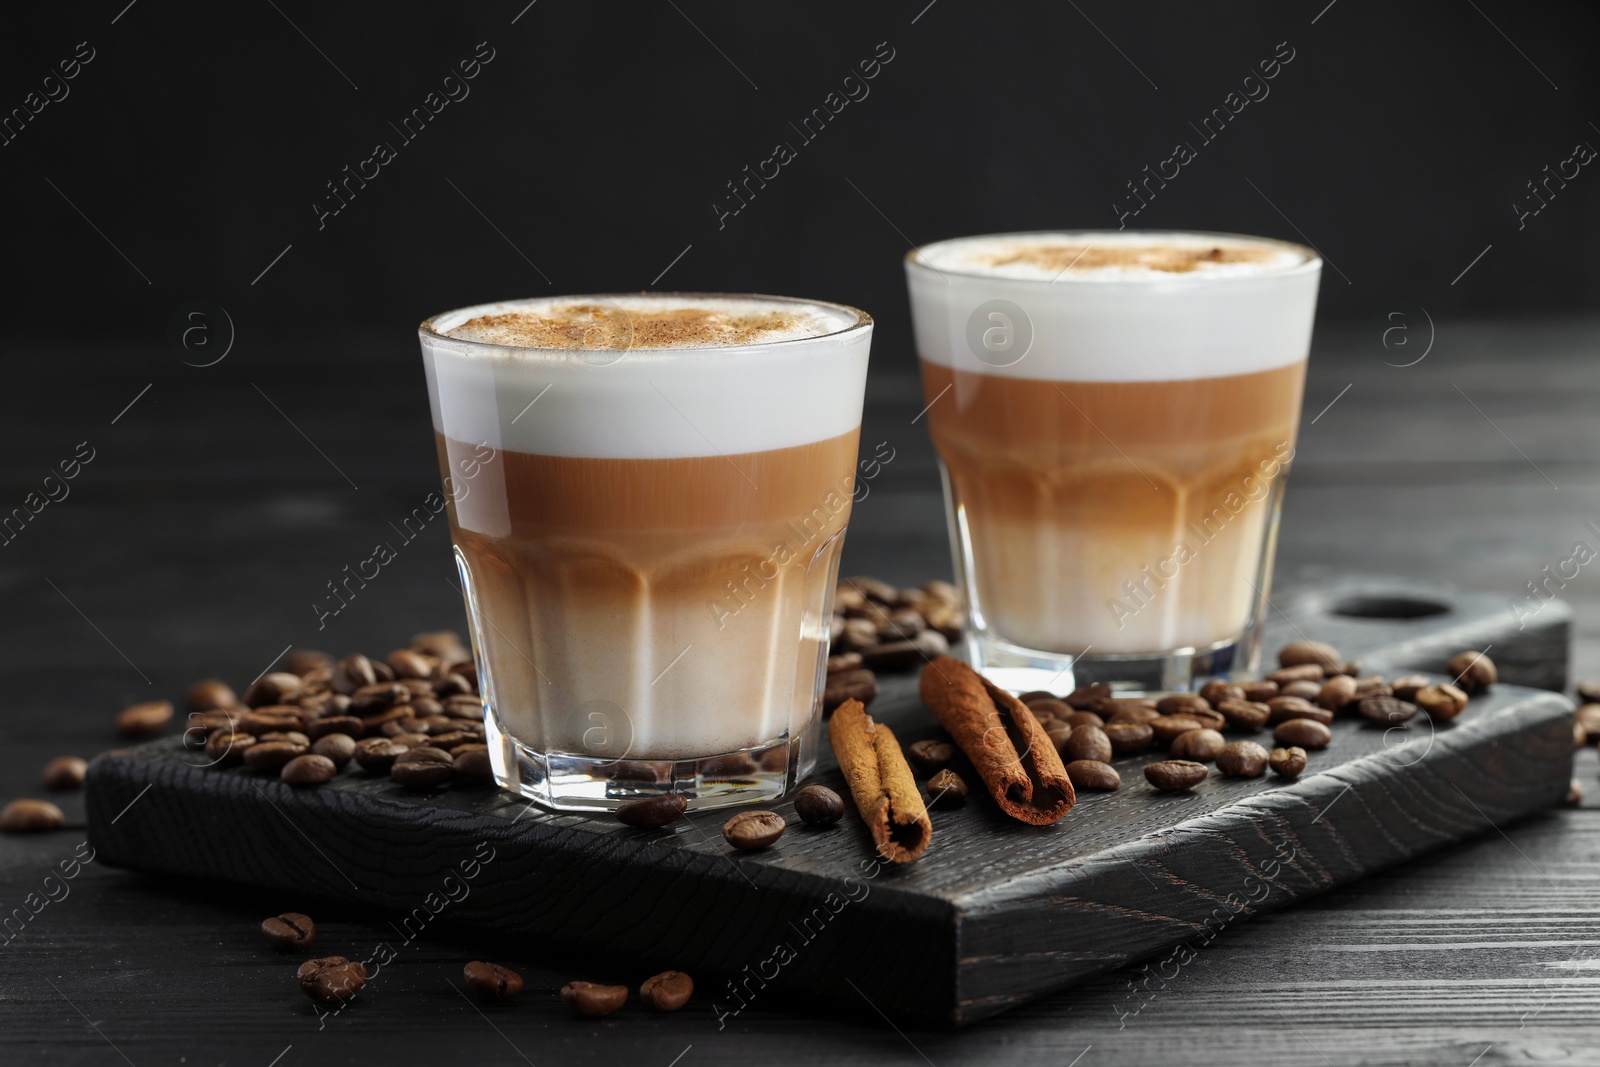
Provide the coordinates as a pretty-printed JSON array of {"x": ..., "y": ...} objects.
[{"x": 583, "y": 783}]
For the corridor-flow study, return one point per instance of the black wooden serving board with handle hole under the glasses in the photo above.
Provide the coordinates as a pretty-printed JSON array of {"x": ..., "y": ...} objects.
[{"x": 994, "y": 914}]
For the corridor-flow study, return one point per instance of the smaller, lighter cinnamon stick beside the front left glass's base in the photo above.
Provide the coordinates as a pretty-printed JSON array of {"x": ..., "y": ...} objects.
[{"x": 882, "y": 783}]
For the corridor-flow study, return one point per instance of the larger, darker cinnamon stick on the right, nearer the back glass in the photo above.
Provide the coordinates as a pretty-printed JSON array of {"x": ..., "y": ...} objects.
[{"x": 1002, "y": 740}]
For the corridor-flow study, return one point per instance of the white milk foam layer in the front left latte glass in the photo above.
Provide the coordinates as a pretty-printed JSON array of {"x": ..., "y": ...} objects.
[{"x": 793, "y": 385}]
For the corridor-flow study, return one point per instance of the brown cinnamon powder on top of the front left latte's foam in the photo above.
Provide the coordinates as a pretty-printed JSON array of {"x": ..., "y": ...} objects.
[{"x": 602, "y": 327}]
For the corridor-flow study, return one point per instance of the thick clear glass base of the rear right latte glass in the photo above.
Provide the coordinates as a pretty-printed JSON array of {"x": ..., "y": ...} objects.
[{"x": 1020, "y": 669}]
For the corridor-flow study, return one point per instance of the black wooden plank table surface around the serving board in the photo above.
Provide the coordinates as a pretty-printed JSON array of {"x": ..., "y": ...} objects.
[{"x": 210, "y": 519}]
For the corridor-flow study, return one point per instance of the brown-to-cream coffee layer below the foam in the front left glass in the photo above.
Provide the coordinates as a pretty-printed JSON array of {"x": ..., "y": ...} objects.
[{"x": 682, "y": 602}]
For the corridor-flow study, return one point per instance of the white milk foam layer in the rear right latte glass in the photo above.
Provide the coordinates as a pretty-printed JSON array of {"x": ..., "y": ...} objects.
[{"x": 998, "y": 306}]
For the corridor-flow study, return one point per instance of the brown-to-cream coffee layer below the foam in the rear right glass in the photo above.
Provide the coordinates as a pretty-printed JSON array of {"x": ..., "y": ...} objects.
[{"x": 1079, "y": 495}]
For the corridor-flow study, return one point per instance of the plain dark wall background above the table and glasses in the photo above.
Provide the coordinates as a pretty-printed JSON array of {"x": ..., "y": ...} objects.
[{"x": 601, "y": 137}]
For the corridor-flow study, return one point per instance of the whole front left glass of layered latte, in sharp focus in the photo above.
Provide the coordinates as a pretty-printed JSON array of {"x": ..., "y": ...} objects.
[{"x": 649, "y": 498}]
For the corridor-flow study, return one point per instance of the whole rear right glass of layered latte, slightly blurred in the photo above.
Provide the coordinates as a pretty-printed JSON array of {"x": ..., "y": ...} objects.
[{"x": 1116, "y": 415}]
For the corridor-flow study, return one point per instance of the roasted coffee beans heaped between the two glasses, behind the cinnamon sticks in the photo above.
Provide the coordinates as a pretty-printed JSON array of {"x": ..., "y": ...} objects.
[{"x": 879, "y": 628}]
